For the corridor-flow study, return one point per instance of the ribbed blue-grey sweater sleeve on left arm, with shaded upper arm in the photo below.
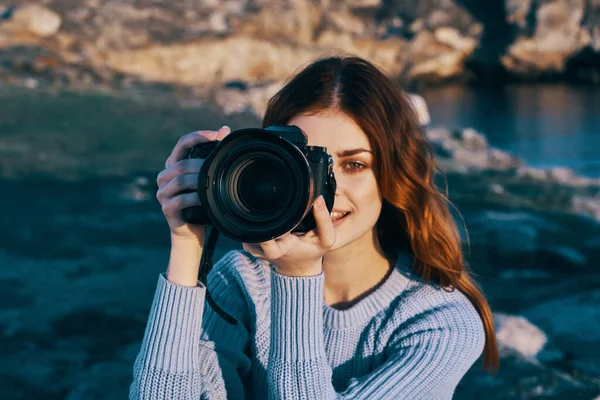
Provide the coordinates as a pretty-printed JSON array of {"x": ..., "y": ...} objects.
[{"x": 188, "y": 350}]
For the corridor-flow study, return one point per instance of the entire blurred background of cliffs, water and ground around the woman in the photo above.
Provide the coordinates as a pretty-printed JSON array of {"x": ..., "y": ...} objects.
[{"x": 95, "y": 93}]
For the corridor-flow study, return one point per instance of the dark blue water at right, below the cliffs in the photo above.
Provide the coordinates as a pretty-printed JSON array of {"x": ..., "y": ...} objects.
[{"x": 546, "y": 125}]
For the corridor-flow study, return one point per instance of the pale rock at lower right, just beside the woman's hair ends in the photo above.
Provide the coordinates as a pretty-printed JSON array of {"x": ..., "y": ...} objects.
[{"x": 516, "y": 334}]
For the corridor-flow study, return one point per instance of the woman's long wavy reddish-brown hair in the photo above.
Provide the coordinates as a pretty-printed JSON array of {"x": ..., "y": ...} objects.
[{"x": 415, "y": 214}]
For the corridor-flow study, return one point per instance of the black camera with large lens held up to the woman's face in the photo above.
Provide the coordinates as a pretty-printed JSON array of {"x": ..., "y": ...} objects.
[{"x": 259, "y": 184}]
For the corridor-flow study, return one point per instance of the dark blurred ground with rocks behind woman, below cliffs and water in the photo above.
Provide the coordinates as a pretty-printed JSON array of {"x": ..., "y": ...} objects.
[{"x": 82, "y": 240}]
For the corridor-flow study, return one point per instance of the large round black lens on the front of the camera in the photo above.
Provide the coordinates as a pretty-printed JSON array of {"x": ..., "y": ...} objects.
[{"x": 258, "y": 186}]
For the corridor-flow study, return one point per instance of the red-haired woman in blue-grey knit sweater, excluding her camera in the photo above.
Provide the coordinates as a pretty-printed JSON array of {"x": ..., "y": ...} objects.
[{"x": 364, "y": 307}]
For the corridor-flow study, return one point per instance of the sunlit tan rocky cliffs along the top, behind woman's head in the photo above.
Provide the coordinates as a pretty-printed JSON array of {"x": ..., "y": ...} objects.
[{"x": 204, "y": 43}]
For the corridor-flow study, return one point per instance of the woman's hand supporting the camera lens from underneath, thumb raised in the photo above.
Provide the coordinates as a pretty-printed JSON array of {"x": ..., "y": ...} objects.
[{"x": 295, "y": 255}]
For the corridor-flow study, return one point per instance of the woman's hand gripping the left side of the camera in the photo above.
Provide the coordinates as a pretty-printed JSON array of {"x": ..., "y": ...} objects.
[{"x": 178, "y": 182}]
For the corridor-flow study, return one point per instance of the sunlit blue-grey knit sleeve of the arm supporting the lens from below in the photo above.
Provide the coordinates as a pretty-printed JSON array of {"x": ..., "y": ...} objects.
[{"x": 426, "y": 358}]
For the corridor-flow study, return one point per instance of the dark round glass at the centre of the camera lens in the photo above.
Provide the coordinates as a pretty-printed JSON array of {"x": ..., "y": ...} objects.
[{"x": 261, "y": 184}]
